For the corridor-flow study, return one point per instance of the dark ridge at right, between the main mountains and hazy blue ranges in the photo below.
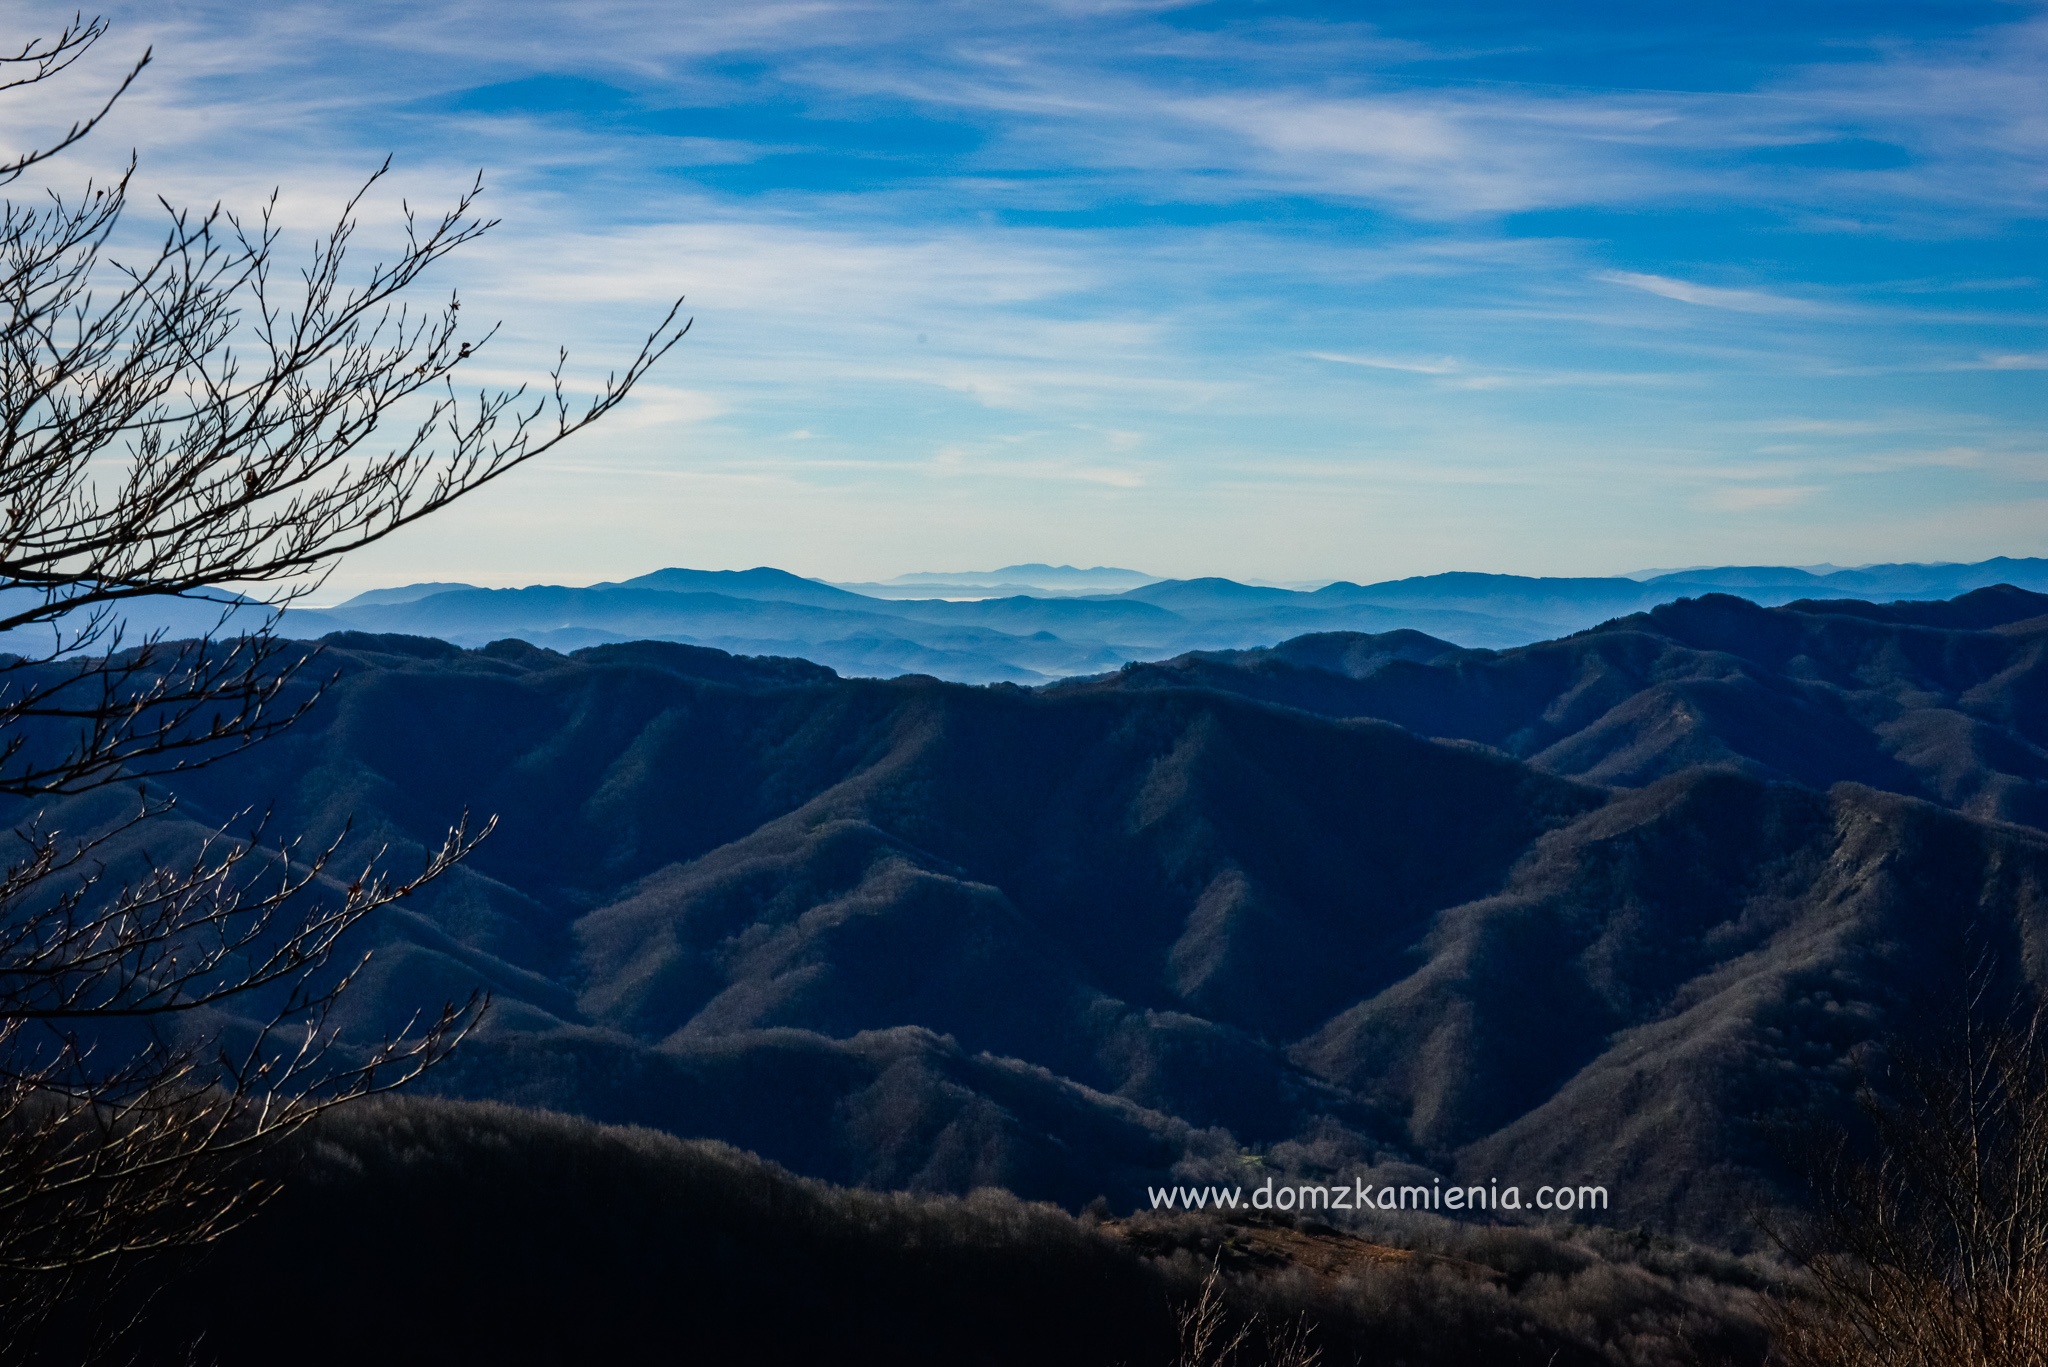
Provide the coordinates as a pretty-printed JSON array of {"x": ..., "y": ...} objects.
[{"x": 1945, "y": 702}]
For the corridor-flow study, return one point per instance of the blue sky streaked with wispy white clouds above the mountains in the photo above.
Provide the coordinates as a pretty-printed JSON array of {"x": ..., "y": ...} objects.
[{"x": 1275, "y": 290}]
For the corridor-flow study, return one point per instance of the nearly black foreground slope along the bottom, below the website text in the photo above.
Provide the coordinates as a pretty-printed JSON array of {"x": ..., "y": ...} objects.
[{"x": 482, "y": 1235}]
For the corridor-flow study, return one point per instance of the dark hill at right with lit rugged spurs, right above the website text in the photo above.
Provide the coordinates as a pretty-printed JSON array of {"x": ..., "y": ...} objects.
[{"x": 1678, "y": 975}]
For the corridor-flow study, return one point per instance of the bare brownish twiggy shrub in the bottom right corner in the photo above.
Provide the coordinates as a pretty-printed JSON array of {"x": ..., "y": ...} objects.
[{"x": 1932, "y": 1249}]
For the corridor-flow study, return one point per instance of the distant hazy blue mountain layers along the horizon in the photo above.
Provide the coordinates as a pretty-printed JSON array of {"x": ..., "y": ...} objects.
[{"x": 1033, "y": 624}]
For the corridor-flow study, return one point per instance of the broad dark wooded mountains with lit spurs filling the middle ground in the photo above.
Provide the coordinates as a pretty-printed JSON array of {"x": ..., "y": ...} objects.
[{"x": 1607, "y": 909}]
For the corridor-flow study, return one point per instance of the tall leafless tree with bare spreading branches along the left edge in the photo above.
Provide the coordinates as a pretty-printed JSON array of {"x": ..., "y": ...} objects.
[{"x": 196, "y": 421}]
